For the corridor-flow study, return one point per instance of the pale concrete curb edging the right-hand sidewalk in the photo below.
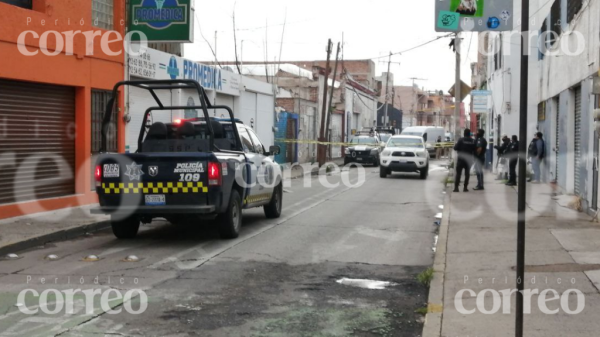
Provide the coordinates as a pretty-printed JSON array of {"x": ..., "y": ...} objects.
[{"x": 435, "y": 302}]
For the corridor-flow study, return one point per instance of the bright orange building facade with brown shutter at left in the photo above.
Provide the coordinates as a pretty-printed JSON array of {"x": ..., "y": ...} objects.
[{"x": 53, "y": 92}]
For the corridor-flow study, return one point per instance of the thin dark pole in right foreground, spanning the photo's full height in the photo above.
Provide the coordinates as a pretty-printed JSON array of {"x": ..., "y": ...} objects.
[{"x": 521, "y": 205}]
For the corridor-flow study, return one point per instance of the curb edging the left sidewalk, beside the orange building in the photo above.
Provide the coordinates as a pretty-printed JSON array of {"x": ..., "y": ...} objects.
[{"x": 65, "y": 234}]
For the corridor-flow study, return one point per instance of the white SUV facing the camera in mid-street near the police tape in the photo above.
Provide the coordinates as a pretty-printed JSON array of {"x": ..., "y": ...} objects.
[{"x": 404, "y": 154}]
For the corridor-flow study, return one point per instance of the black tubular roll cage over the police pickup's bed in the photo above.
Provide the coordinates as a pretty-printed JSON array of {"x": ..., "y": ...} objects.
[{"x": 151, "y": 86}]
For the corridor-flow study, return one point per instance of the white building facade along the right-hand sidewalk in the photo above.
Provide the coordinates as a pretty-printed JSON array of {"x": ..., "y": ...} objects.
[{"x": 563, "y": 67}]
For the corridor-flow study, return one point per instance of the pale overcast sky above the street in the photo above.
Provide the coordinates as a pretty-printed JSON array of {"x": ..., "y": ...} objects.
[{"x": 369, "y": 28}]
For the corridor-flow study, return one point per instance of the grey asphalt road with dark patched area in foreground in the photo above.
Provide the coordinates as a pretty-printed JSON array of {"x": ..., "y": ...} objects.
[{"x": 281, "y": 277}]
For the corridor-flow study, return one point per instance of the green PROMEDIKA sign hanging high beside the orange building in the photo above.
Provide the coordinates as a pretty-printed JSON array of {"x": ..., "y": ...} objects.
[{"x": 161, "y": 20}]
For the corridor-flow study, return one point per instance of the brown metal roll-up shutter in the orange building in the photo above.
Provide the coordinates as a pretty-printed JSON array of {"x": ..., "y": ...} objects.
[{"x": 37, "y": 141}]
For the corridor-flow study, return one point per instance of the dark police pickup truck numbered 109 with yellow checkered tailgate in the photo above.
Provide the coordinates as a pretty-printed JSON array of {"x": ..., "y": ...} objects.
[{"x": 186, "y": 170}]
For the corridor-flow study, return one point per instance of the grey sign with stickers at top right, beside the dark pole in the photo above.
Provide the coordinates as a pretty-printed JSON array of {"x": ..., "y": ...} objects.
[{"x": 473, "y": 15}]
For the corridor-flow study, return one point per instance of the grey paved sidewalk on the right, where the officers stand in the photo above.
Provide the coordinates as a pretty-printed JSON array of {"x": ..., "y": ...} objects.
[{"x": 477, "y": 251}]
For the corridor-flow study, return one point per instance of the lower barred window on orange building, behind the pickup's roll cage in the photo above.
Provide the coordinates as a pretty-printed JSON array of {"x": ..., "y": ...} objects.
[{"x": 100, "y": 99}]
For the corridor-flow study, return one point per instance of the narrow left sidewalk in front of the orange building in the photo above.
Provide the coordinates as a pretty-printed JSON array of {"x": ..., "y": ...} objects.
[{"x": 35, "y": 230}]
